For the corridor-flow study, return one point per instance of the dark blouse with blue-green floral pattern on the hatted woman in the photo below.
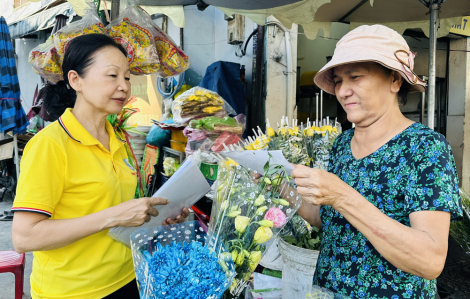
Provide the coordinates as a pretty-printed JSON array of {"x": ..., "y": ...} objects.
[{"x": 414, "y": 171}]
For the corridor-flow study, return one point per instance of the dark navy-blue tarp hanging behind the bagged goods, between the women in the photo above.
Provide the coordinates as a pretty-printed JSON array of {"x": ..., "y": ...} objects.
[{"x": 223, "y": 78}]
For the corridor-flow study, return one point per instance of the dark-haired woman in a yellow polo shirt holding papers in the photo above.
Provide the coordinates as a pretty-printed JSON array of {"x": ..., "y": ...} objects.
[{"x": 76, "y": 182}]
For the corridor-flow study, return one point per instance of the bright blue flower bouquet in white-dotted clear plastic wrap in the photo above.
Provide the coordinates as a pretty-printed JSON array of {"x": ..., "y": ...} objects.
[{"x": 176, "y": 261}]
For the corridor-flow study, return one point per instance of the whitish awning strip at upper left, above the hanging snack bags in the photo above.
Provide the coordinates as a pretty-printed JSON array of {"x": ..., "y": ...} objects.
[{"x": 40, "y": 21}]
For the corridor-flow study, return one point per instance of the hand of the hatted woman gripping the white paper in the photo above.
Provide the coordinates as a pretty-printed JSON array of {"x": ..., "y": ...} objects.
[{"x": 319, "y": 187}]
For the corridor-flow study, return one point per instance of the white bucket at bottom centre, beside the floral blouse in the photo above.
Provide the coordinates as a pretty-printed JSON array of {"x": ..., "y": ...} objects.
[{"x": 298, "y": 270}]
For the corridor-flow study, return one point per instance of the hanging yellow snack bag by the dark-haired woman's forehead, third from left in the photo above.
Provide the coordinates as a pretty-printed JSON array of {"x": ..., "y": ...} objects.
[{"x": 134, "y": 30}]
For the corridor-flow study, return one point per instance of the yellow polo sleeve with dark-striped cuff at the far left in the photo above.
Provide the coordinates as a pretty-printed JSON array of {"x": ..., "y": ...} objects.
[{"x": 41, "y": 181}]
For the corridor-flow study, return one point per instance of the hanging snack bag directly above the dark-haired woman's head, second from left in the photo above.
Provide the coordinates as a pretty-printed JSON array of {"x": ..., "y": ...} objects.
[{"x": 89, "y": 24}]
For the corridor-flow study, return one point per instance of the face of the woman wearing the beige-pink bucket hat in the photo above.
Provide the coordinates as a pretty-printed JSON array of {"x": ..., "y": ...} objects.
[{"x": 365, "y": 91}]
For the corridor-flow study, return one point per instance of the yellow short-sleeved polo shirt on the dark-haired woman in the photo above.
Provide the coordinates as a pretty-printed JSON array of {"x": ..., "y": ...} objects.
[{"x": 66, "y": 173}]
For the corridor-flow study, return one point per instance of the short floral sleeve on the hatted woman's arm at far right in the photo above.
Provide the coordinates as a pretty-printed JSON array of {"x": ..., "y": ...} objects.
[{"x": 433, "y": 184}]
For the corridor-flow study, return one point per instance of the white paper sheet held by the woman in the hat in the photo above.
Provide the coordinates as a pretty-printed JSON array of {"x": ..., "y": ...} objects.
[{"x": 255, "y": 160}]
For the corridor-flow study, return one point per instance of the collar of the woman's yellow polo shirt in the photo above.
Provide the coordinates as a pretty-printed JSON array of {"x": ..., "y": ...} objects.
[{"x": 78, "y": 133}]
